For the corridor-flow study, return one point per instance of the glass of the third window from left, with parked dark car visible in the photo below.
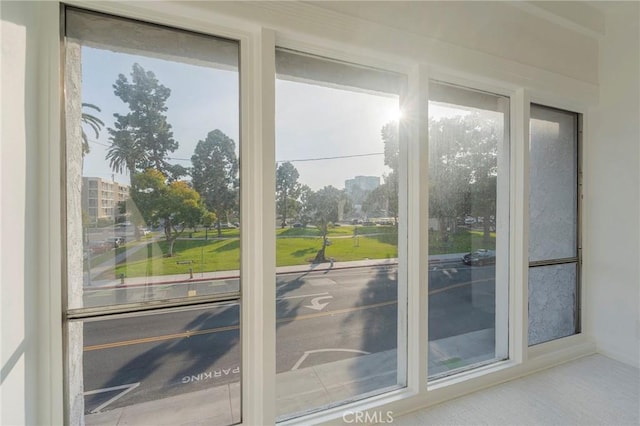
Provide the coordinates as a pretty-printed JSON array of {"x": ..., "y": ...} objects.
[{"x": 468, "y": 228}]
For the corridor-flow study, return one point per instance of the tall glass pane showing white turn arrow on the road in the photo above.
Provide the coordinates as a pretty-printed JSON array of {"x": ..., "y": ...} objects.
[{"x": 336, "y": 233}]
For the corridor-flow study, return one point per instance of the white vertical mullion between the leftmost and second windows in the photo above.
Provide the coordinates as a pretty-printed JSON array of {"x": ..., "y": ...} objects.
[{"x": 258, "y": 216}]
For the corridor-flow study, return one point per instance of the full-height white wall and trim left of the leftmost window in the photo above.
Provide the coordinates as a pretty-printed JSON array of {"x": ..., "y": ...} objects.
[{"x": 30, "y": 358}]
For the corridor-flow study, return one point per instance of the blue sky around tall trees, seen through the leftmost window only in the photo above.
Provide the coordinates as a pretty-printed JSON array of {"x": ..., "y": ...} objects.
[{"x": 202, "y": 99}]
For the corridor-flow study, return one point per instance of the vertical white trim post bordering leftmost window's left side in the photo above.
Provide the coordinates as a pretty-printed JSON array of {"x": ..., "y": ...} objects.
[{"x": 50, "y": 407}]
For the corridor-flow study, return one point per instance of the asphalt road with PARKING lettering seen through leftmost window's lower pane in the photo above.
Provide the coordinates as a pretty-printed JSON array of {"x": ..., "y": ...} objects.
[{"x": 167, "y": 354}]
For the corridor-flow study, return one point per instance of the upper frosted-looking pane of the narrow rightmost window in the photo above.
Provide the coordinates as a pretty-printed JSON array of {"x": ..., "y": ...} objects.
[{"x": 553, "y": 184}]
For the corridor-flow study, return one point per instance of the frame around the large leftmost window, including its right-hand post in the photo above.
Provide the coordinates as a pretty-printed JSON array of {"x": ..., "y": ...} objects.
[{"x": 256, "y": 114}]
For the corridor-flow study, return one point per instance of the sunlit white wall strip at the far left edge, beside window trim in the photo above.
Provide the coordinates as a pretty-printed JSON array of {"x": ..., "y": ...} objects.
[{"x": 16, "y": 285}]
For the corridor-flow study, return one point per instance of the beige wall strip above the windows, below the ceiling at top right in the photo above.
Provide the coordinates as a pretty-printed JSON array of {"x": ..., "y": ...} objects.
[{"x": 500, "y": 29}]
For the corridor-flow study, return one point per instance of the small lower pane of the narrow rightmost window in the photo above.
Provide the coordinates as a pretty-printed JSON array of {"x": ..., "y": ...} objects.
[{"x": 552, "y": 302}]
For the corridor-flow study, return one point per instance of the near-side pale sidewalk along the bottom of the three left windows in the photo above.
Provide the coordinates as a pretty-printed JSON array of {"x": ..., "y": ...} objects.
[{"x": 302, "y": 389}]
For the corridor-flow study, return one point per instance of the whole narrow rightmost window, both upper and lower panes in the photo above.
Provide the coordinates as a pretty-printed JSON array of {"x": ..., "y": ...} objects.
[{"x": 554, "y": 267}]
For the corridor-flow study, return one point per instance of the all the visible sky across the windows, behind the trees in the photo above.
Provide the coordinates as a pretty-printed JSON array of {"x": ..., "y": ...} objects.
[{"x": 313, "y": 122}]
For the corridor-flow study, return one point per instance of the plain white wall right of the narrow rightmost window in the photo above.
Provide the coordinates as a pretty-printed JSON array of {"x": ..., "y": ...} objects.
[{"x": 612, "y": 211}]
